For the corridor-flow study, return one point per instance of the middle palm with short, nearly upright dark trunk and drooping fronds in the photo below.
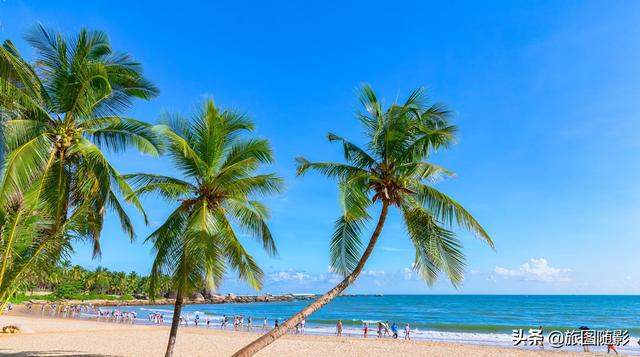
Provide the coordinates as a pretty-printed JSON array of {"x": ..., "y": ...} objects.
[{"x": 199, "y": 240}]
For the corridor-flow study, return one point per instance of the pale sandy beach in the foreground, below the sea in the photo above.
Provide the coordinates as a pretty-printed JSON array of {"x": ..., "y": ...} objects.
[{"x": 92, "y": 338}]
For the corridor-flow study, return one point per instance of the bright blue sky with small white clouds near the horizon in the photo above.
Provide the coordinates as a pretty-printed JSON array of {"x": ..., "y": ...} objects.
[{"x": 546, "y": 95}]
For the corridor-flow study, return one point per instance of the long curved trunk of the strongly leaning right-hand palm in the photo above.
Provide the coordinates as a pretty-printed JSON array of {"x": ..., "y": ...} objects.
[{"x": 268, "y": 338}]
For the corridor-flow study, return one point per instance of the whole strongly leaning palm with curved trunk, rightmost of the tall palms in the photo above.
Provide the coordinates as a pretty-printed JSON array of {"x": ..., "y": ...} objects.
[{"x": 390, "y": 170}]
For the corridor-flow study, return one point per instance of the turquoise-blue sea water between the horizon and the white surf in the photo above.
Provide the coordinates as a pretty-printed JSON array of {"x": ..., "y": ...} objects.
[{"x": 460, "y": 313}]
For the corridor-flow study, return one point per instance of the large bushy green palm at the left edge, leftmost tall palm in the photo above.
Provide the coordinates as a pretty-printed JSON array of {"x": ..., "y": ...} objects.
[{"x": 58, "y": 114}]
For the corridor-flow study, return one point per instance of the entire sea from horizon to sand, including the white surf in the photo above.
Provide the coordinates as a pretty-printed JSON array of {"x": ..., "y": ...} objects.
[{"x": 477, "y": 319}]
